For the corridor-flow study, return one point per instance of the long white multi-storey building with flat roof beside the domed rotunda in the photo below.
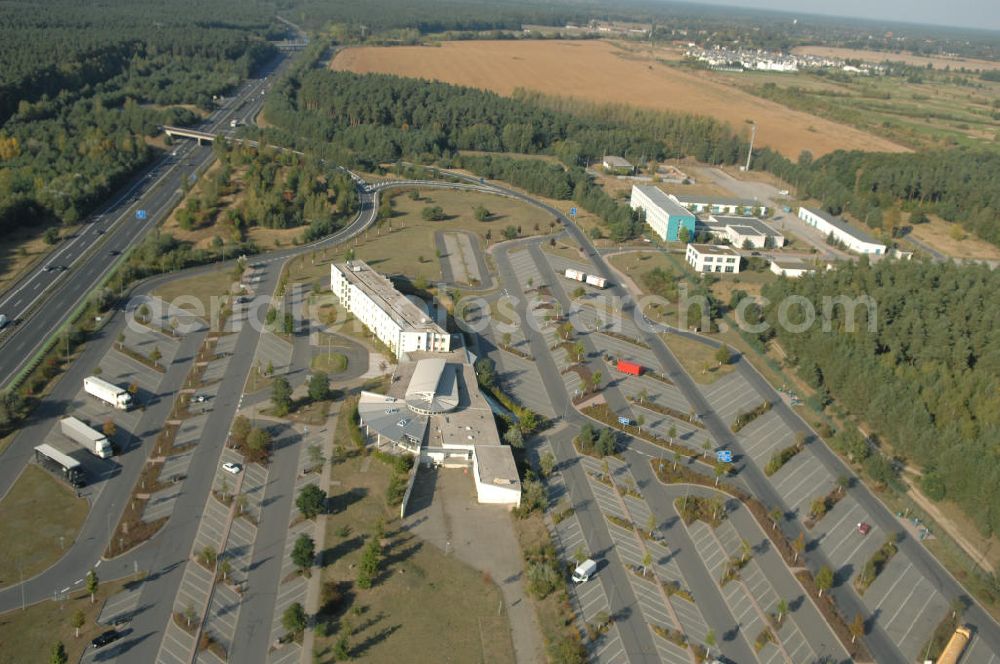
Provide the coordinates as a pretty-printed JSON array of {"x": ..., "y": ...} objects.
[{"x": 398, "y": 322}]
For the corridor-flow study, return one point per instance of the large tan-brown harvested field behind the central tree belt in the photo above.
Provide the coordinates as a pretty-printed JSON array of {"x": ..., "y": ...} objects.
[{"x": 603, "y": 72}]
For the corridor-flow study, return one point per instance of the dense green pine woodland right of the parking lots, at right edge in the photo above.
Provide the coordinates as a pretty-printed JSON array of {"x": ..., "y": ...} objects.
[{"x": 926, "y": 381}]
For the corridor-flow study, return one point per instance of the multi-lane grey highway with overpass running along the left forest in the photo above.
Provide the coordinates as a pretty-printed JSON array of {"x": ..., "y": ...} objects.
[{"x": 41, "y": 301}]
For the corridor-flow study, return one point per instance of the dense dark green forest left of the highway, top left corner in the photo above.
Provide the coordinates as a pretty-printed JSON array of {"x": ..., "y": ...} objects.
[{"x": 81, "y": 89}]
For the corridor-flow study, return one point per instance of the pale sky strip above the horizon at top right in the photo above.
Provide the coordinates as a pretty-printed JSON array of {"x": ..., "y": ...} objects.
[{"x": 965, "y": 13}]
